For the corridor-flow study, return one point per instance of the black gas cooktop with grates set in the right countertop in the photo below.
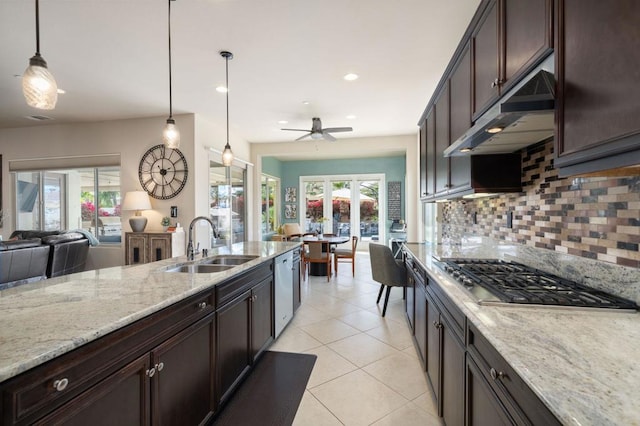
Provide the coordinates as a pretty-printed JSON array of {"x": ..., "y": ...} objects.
[{"x": 499, "y": 282}]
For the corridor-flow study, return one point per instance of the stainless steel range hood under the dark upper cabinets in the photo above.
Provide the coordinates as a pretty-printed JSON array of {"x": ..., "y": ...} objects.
[{"x": 523, "y": 116}]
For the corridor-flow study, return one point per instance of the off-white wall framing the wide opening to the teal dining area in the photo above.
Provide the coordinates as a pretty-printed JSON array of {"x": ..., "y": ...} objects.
[{"x": 352, "y": 147}]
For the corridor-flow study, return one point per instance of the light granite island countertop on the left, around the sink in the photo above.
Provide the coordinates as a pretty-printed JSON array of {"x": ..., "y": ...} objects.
[{"x": 48, "y": 318}]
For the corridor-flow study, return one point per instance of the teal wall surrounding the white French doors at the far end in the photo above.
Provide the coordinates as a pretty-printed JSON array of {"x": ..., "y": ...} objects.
[{"x": 289, "y": 172}]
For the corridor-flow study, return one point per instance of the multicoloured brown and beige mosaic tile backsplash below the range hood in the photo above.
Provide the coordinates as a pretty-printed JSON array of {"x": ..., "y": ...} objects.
[{"x": 594, "y": 218}]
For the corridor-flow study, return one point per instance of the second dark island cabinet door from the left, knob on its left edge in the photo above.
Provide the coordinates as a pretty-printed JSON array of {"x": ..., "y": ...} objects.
[{"x": 183, "y": 383}]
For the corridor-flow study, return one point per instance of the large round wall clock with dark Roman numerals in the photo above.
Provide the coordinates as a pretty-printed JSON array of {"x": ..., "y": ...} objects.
[{"x": 163, "y": 172}]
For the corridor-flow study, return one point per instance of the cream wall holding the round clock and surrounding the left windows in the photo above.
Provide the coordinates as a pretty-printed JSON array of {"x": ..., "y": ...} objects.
[{"x": 130, "y": 139}]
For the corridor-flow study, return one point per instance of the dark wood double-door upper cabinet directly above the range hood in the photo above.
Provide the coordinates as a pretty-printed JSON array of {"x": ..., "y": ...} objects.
[{"x": 510, "y": 38}]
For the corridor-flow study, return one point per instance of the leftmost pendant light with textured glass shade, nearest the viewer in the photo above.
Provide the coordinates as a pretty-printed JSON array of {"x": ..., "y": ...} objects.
[{"x": 38, "y": 85}]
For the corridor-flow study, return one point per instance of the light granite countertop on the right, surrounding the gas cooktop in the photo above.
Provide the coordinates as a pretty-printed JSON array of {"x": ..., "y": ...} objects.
[{"x": 583, "y": 364}]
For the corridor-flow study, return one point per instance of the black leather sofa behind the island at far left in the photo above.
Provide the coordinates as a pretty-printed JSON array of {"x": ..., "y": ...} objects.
[{"x": 34, "y": 255}]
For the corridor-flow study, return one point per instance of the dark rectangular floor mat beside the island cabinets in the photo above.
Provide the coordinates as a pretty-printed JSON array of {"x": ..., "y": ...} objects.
[{"x": 272, "y": 392}]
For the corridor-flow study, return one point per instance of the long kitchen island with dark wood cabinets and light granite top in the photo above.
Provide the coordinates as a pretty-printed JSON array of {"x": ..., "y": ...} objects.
[{"x": 98, "y": 326}]
